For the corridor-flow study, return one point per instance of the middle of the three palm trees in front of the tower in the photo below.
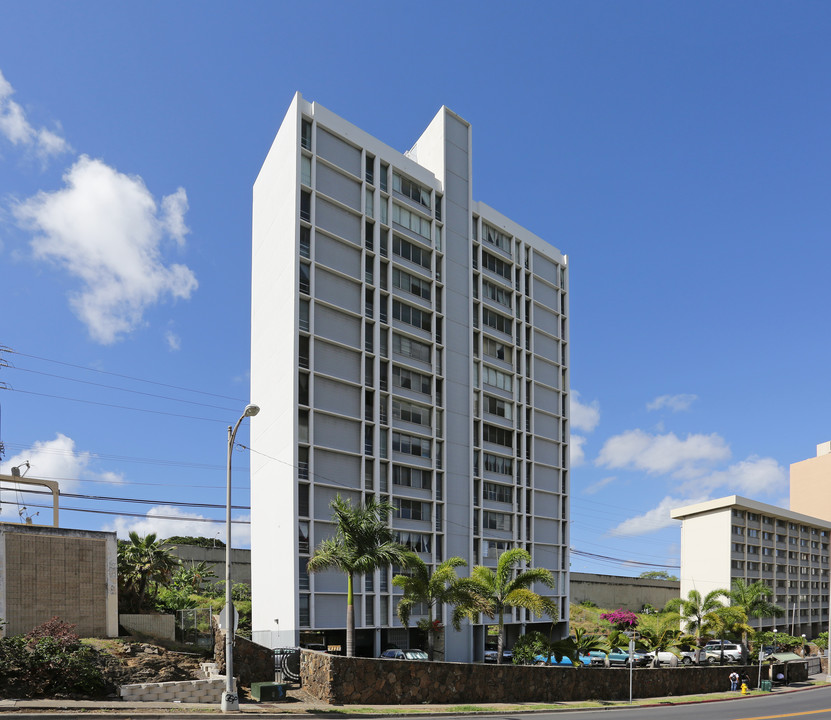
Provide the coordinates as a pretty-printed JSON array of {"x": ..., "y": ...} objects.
[{"x": 441, "y": 587}]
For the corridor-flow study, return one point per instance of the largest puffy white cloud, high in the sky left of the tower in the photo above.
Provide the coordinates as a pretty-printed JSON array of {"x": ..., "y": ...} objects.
[{"x": 105, "y": 229}]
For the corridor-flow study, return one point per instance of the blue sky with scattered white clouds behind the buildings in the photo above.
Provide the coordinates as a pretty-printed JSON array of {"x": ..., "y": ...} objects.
[{"x": 677, "y": 152}]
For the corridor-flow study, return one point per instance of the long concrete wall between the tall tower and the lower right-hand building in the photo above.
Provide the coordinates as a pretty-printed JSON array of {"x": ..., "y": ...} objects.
[{"x": 611, "y": 591}]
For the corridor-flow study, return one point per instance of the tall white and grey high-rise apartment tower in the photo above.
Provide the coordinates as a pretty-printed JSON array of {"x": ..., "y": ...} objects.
[{"x": 407, "y": 343}]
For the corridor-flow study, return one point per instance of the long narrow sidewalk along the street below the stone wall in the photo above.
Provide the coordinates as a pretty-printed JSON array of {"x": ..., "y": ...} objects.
[{"x": 300, "y": 703}]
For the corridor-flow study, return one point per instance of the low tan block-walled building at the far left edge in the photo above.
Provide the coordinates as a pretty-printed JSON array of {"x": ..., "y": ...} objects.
[{"x": 47, "y": 572}]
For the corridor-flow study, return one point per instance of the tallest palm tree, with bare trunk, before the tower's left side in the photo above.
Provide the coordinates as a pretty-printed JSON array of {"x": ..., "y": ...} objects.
[{"x": 363, "y": 542}]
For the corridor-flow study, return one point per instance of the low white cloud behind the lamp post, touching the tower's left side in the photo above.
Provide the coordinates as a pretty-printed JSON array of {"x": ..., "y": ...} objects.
[{"x": 167, "y": 521}]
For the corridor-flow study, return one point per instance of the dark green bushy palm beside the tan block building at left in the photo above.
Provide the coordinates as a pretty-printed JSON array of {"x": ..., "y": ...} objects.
[{"x": 143, "y": 563}]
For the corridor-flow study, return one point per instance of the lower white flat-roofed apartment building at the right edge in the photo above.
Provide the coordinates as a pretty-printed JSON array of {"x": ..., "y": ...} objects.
[{"x": 736, "y": 538}]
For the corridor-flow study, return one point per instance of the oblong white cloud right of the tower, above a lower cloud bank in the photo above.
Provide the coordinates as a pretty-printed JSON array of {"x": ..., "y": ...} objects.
[{"x": 659, "y": 454}]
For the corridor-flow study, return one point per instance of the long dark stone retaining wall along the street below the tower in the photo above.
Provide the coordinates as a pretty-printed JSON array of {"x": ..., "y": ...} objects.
[{"x": 342, "y": 681}]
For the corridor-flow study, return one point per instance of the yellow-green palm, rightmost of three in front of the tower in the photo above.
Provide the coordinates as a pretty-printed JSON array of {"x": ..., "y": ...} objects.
[{"x": 493, "y": 592}]
